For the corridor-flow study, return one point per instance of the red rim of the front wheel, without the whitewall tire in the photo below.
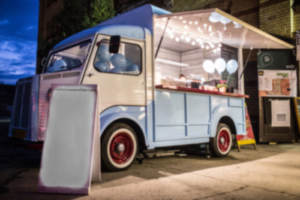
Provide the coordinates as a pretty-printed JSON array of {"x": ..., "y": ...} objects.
[{"x": 121, "y": 148}]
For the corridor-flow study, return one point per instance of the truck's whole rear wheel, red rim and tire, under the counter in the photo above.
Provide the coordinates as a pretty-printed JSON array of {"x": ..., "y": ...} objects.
[{"x": 222, "y": 143}]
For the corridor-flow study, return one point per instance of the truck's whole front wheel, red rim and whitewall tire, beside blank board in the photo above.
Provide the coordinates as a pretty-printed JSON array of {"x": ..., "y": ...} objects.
[{"x": 118, "y": 147}]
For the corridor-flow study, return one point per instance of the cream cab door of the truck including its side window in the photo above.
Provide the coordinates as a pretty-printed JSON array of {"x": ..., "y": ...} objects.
[{"x": 120, "y": 77}]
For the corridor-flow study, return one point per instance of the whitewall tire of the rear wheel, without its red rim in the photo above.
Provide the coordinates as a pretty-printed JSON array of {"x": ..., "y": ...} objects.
[{"x": 214, "y": 141}]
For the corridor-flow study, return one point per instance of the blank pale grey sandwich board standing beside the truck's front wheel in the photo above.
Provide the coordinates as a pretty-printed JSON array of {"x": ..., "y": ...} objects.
[{"x": 71, "y": 157}]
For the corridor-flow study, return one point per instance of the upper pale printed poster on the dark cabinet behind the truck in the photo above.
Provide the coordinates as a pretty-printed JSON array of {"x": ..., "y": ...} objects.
[{"x": 277, "y": 83}]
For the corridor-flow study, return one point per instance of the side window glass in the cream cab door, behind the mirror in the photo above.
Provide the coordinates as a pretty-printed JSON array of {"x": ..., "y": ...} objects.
[{"x": 127, "y": 61}]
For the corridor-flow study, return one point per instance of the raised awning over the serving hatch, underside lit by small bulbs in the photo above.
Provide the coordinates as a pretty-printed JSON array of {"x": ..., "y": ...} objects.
[{"x": 214, "y": 26}]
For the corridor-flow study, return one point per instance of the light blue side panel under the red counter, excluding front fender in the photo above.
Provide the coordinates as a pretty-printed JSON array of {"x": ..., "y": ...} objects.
[{"x": 183, "y": 118}]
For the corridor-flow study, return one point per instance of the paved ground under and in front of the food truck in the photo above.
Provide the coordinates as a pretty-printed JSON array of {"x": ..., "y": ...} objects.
[{"x": 270, "y": 172}]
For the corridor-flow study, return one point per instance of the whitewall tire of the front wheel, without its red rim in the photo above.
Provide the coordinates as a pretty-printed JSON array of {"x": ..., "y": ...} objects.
[{"x": 107, "y": 162}]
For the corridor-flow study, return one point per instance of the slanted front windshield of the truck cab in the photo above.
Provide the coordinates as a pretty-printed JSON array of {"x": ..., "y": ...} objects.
[{"x": 68, "y": 59}]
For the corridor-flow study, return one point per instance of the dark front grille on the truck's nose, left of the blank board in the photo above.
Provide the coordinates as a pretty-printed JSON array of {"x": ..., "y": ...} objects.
[{"x": 22, "y": 104}]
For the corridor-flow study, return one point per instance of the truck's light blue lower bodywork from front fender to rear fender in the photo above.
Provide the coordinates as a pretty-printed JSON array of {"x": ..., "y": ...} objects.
[{"x": 179, "y": 118}]
